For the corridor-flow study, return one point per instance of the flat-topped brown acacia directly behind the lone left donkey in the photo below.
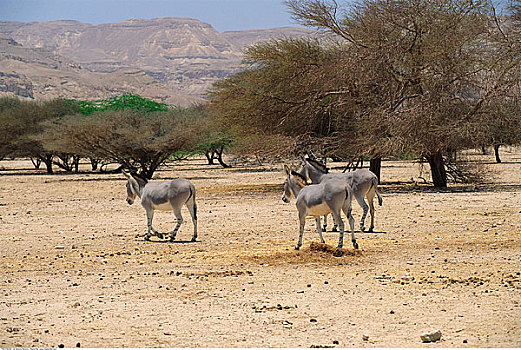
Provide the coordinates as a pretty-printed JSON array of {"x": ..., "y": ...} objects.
[{"x": 136, "y": 139}]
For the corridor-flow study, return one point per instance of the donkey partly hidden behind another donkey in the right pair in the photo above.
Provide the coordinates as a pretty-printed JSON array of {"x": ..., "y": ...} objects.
[{"x": 362, "y": 181}]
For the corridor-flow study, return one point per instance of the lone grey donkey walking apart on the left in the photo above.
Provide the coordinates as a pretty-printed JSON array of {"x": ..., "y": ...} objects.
[{"x": 163, "y": 195}]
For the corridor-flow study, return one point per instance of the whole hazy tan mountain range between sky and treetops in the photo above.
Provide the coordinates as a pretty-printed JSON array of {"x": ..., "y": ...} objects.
[{"x": 176, "y": 56}]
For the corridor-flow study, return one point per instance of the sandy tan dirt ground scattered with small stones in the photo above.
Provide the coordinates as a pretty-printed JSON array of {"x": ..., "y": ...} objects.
[{"x": 73, "y": 272}]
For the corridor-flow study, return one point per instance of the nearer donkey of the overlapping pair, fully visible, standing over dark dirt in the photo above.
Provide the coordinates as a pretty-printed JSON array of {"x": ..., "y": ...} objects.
[{"x": 315, "y": 200}]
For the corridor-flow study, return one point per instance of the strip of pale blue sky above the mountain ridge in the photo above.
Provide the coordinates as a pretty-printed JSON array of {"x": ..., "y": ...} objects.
[{"x": 223, "y": 15}]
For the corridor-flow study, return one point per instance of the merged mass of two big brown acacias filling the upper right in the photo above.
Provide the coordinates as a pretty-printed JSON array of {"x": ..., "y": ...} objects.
[{"x": 389, "y": 77}]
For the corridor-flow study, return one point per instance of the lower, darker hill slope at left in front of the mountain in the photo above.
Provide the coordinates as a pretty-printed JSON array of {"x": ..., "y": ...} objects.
[{"x": 40, "y": 74}]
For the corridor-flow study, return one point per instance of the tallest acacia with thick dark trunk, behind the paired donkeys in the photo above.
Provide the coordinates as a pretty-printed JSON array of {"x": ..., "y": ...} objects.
[{"x": 426, "y": 59}]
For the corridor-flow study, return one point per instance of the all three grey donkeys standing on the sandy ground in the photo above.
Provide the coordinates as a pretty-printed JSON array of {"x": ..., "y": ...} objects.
[{"x": 328, "y": 193}]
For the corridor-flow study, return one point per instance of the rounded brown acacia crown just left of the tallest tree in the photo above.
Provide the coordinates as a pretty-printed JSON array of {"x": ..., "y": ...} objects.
[{"x": 282, "y": 104}]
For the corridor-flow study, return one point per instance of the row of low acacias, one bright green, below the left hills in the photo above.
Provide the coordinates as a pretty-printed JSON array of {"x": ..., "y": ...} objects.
[{"x": 134, "y": 132}]
